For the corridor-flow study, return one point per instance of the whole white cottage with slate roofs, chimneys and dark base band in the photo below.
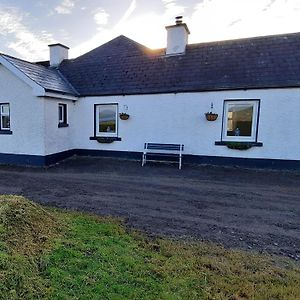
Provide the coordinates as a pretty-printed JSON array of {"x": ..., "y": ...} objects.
[{"x": 52, "y": 110}]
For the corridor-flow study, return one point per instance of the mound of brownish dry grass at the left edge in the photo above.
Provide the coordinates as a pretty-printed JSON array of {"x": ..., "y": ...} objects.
[{"x": 26, "y": 228}]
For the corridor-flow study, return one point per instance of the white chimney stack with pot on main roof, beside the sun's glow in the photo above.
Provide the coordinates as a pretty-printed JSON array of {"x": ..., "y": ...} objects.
[{"x": 177, "y": 37}]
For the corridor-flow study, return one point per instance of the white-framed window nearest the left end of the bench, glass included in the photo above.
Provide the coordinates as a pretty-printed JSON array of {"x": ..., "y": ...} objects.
[{"x": 106, "y": 120}]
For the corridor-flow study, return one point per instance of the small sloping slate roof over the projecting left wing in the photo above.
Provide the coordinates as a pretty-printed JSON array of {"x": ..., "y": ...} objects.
[{"x": 50, "y": 79}]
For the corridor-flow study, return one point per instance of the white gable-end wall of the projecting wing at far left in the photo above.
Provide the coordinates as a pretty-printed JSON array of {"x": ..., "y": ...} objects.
[{"x": 26, "y": 117}]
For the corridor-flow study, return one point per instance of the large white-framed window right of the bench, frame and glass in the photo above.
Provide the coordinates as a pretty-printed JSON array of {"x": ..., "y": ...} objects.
[{"x": 240, "y": 120}]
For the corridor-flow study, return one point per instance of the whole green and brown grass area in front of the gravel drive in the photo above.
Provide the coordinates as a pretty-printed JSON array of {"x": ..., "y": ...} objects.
[{"x": 50, "y": 254}]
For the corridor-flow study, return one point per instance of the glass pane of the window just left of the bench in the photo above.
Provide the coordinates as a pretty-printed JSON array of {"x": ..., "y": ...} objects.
[{"x": 107, "y": 118}]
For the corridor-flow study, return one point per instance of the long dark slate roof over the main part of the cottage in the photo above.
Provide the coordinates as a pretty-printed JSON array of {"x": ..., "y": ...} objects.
[{"x": 123, "y": 66}]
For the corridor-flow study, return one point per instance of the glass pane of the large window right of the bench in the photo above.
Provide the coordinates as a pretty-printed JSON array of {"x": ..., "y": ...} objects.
[{"x": 239, "y": 120}]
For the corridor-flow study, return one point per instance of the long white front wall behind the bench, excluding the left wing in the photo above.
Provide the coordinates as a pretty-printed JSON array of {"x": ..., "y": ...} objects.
[{"x": 179, "y": 118}]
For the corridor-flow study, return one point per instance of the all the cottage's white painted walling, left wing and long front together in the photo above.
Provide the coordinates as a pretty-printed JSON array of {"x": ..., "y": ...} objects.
[{"x": 163, "y": 118}]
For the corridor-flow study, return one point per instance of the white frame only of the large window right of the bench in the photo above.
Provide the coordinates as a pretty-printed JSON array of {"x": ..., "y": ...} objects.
[{"x": 254, "y": 129}]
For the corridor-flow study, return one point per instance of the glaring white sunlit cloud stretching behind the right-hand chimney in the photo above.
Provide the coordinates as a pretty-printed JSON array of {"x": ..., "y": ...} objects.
[{"x": 208, "y": 20}]
